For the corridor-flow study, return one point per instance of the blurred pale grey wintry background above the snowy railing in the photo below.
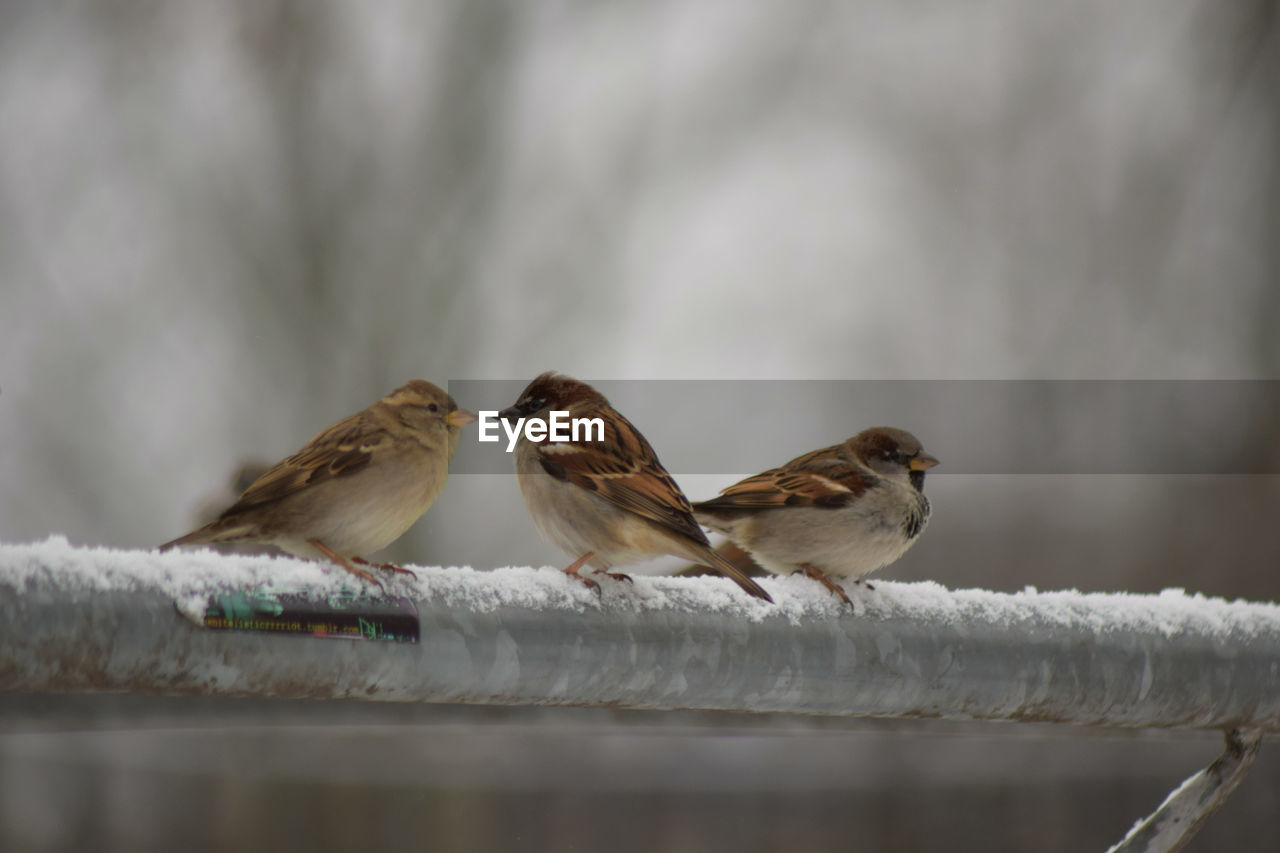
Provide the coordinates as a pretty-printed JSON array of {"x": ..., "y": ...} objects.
[{"x": 226, "y": 226}]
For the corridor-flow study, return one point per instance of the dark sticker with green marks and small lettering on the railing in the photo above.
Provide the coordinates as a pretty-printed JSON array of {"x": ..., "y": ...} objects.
[{"x": 337, "y": 617}]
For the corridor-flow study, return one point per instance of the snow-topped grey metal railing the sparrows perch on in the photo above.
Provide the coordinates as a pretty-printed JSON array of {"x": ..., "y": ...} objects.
[{"x": 94, "y": 619}]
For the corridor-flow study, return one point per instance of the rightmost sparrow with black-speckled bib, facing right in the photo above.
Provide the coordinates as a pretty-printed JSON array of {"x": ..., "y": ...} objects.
[{"x": 844, "y": 510}]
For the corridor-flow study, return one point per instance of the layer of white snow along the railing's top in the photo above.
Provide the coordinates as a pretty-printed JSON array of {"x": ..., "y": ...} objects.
[{"x": 190, "y": 577}]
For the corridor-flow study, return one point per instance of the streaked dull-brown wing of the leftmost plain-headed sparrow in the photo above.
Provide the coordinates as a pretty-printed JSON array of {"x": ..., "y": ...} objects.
[{"x": 341, "y": 450}]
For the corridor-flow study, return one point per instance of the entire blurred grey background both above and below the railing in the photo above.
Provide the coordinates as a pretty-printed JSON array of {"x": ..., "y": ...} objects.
[{"x": 227, "y": 225}]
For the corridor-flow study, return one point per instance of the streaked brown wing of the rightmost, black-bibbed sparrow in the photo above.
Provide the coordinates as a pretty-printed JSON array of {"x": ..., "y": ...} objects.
[{"x": 821, "y": 478}]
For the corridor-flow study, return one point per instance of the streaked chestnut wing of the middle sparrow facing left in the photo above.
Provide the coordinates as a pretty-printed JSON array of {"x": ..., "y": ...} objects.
[{"x": 624, "y": 471}]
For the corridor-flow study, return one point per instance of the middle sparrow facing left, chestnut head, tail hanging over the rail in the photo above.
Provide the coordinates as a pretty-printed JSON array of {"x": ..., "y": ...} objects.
[{"x": 609, "y": 503}]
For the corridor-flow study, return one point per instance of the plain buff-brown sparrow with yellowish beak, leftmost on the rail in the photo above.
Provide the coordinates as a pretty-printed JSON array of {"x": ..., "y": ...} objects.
[{"x": 354, "y": 489}]
